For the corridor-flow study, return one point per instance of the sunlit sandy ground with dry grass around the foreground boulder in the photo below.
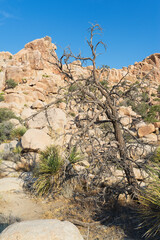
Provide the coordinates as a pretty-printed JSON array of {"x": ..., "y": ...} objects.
[{"x": 19, "y": 206}]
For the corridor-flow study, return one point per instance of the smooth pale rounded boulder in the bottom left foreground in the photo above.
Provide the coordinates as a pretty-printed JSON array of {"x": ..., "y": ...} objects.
[{"x": 41, "y": 229}]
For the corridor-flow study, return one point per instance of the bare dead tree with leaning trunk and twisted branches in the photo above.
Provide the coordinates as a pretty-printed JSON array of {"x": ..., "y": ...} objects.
[{"x": 90, "y": 95}]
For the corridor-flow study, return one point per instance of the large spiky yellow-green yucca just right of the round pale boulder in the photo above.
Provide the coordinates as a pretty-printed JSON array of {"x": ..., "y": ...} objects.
[{"x": 47, "y": 171}]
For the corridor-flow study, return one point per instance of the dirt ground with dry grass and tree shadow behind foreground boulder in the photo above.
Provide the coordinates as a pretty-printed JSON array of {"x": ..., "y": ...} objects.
[{"x": 18, "y": 206}]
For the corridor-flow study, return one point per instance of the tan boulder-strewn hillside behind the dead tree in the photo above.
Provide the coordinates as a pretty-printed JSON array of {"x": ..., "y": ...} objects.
[{"x": 38, "y": 80}]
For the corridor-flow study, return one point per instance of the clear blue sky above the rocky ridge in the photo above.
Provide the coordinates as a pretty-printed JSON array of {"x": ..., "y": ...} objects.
[{"x": 131, "y": 28}]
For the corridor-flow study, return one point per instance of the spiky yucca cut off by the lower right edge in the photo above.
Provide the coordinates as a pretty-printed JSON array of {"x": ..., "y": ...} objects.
[{"x": 150, "y": 202}]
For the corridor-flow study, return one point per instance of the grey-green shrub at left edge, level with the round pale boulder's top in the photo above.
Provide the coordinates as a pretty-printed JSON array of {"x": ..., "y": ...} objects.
[{"x": 5, "y": 131}]
